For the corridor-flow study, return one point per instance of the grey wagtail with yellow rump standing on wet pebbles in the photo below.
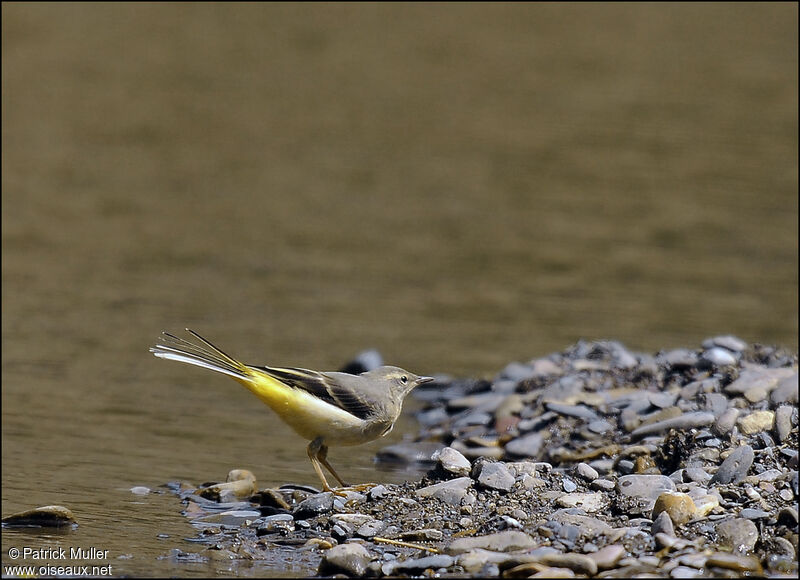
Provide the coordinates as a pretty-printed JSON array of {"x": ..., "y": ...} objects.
[{"x": 329, "y": 408}]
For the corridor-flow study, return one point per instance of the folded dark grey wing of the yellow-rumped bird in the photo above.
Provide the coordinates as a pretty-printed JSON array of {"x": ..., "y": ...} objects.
[{"x": 339, "y": 389}]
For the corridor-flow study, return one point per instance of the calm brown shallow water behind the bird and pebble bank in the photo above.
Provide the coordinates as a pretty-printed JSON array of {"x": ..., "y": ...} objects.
[{"x": 458, "y": 187}]
